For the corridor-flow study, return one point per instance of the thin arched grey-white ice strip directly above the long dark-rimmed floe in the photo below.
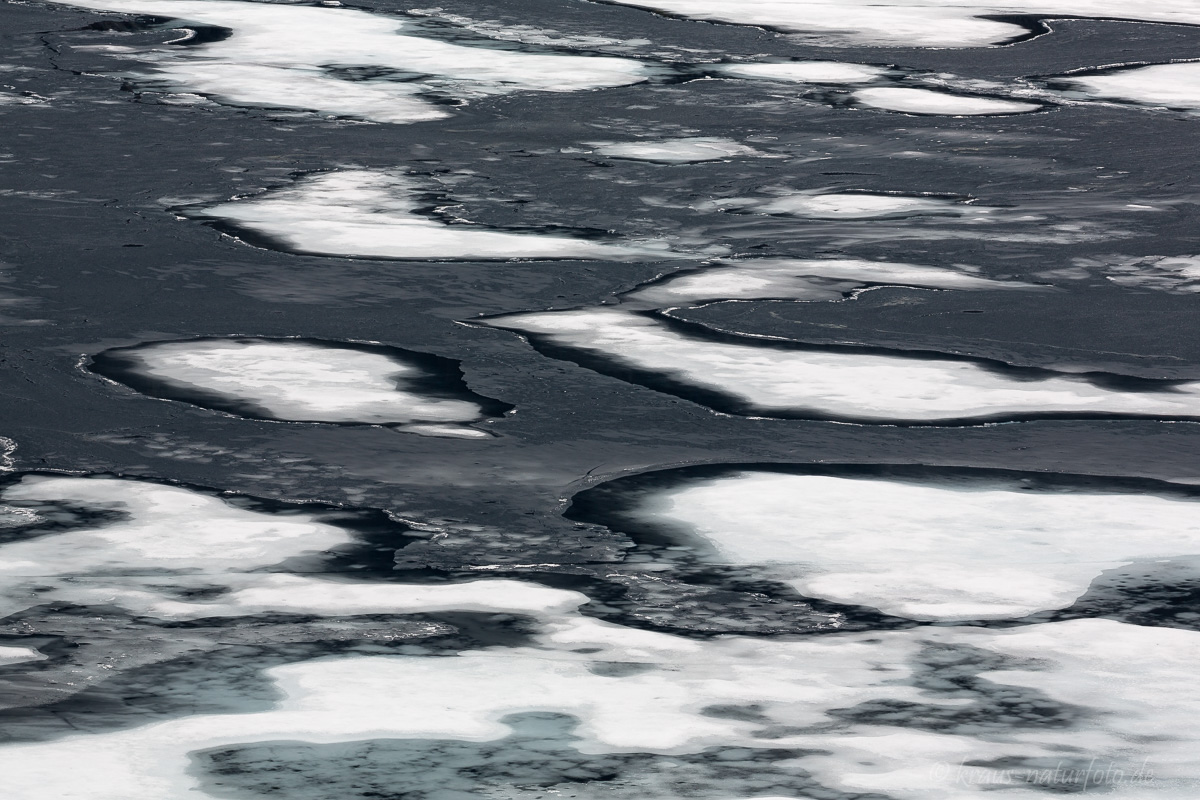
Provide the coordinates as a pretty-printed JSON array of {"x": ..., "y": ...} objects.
[{"x": 784, "y": 279}]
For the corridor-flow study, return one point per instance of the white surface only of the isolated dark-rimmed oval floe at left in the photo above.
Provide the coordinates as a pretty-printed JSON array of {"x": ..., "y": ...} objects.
[{"x": 302, "y": 381}]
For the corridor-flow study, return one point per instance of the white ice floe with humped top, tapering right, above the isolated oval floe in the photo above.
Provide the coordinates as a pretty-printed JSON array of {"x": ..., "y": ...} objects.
[{"x": 367, "y": 214}]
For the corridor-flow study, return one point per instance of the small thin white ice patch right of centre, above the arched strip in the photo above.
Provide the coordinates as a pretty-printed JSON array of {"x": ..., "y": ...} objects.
[{"x": 853, "y": 206}]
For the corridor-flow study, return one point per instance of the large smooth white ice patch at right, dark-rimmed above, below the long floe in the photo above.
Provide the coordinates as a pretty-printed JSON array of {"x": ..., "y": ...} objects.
[{"x": 926, "y": 551}]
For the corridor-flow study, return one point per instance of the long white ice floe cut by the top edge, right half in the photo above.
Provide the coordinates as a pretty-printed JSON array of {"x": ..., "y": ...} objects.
[{"x": 915, "y": 23}]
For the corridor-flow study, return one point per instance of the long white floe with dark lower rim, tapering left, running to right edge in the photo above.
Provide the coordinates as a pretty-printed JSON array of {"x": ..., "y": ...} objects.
[{"x": 772, "y": 380}]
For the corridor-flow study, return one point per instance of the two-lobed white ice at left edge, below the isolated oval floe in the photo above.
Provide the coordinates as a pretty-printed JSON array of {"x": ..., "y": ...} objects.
[{"x": 176, "y": 539}]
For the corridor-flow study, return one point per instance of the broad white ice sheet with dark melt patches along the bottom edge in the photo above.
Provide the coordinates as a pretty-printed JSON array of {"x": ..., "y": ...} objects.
[{"x": 1133, "y": 687}]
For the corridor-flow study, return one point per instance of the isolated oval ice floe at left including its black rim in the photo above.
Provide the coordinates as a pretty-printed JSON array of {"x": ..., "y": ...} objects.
[{"x": 303, "y": 381}]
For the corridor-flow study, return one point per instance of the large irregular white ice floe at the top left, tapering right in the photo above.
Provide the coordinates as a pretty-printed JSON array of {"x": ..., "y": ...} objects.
[{"x": 347, "y": 63}]
